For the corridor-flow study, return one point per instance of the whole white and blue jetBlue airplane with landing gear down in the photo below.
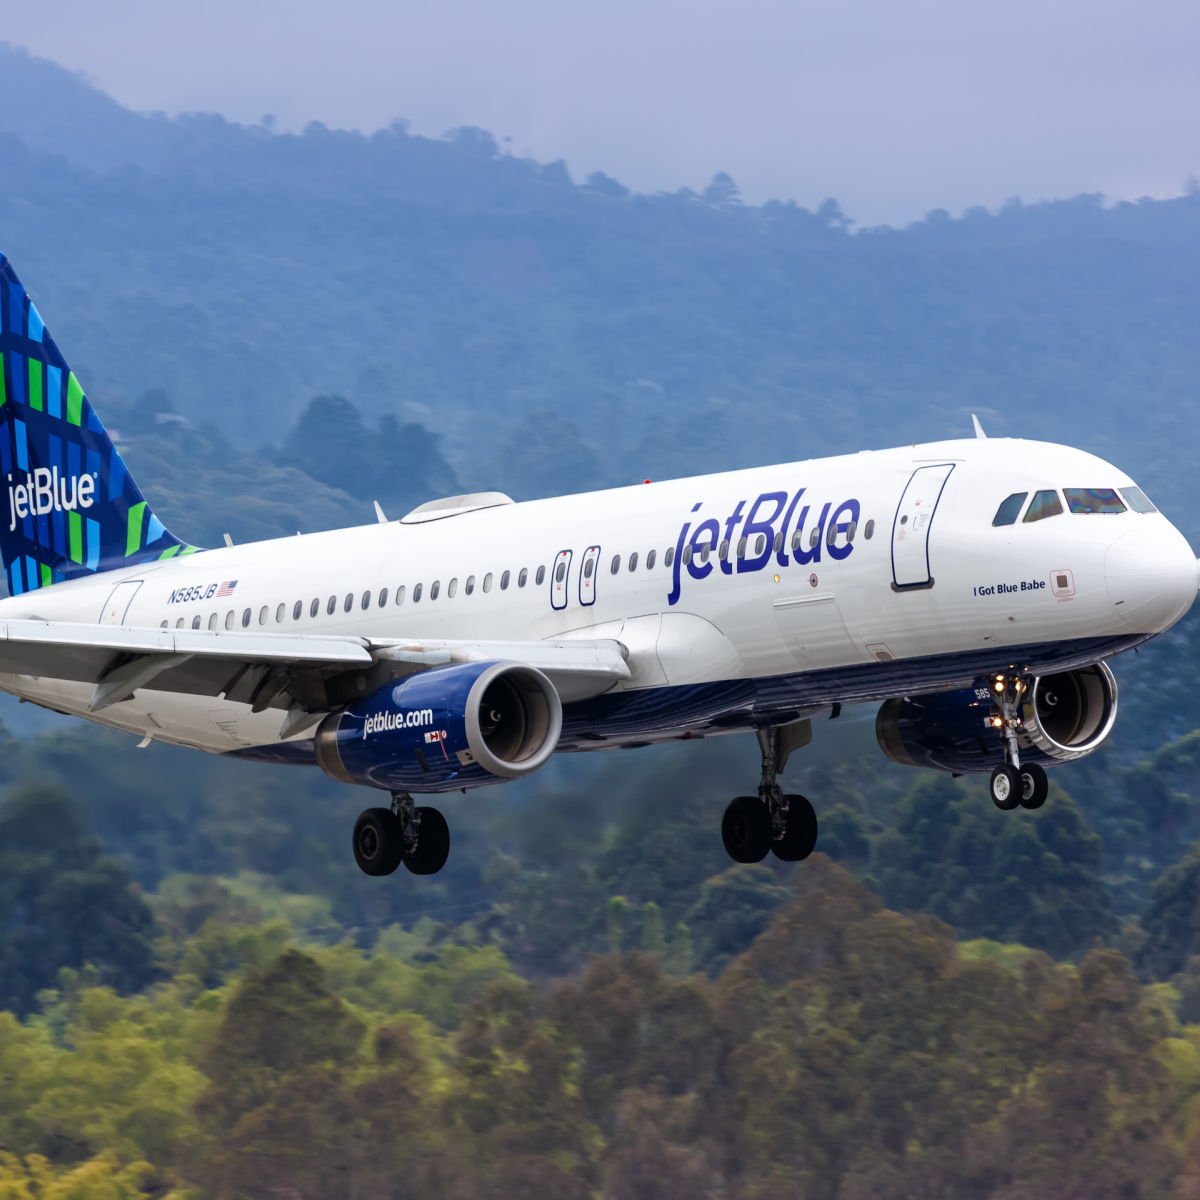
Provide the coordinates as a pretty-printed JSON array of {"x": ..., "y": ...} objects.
[{"x": 973, "y": 589}]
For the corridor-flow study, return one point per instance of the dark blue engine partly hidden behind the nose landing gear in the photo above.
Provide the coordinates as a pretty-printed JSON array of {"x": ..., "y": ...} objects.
[{"x": 1064, "y": 717}]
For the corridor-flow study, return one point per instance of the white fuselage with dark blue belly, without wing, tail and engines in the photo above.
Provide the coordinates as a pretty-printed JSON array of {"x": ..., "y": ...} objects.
[{"x": 971, "y": 597}]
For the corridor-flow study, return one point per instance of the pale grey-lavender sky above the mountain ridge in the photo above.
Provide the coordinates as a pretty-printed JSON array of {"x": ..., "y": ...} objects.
[{"x": 893, "y": 107}]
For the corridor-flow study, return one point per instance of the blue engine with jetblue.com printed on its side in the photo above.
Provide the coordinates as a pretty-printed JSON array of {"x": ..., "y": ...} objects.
[{"x": 443, "y": 730}]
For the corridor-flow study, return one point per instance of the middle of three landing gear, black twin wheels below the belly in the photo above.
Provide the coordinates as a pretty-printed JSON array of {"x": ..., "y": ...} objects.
[{"x": 783, "y": 824}]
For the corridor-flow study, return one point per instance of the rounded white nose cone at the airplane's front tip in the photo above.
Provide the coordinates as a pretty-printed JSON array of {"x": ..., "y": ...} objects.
[{"x": 1153, "y": 578}]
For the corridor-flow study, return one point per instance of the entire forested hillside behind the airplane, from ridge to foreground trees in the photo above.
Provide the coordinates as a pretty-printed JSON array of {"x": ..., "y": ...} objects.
[{"x": 200, "y": 994}]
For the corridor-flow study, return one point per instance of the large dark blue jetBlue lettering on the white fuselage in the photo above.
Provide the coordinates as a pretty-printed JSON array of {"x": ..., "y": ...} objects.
[{"x": 775, "y": 527}]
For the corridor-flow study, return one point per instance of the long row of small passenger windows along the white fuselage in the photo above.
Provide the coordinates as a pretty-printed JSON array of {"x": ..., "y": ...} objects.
[{"x": 380, "y": 601}]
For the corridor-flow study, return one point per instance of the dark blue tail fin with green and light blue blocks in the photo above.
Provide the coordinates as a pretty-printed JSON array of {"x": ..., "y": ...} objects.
[{"x": 69, "y": 507}]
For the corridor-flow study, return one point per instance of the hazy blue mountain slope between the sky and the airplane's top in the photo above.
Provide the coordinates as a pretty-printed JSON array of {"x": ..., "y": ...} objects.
[{"x": 556, "y": 334}]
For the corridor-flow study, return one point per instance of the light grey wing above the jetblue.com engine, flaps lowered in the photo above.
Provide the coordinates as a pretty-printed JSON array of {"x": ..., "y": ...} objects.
[{"x": 308, "y": 676}]
